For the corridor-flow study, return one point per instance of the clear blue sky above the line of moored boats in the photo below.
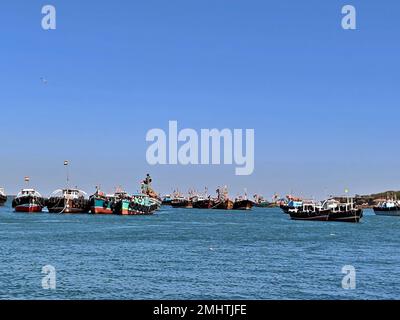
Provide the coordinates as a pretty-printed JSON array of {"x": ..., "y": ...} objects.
[{"x": 324, "y": 101}]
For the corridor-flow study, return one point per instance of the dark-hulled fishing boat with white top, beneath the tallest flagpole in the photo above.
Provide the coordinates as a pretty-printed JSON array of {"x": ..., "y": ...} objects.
[{"x": 68, "y": 201}]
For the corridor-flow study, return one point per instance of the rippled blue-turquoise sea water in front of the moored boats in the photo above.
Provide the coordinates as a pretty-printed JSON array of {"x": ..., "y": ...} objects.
[{"x": 197, "y": 254}]
